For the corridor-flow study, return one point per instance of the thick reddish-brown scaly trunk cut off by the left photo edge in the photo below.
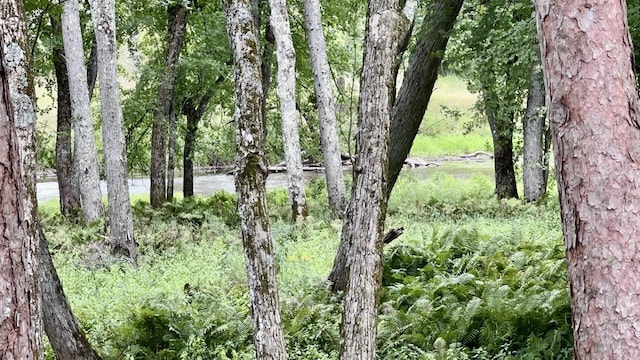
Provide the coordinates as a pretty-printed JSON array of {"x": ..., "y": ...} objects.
[{"x": 20, "y": 328}]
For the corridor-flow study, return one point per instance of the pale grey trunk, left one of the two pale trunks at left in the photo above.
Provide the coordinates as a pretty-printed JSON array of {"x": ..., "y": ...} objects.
[{"x": 86, "y": 158}]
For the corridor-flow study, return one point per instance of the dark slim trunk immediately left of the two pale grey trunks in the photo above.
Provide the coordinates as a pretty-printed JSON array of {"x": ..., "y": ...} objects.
[{"x": 70, "y": 205}]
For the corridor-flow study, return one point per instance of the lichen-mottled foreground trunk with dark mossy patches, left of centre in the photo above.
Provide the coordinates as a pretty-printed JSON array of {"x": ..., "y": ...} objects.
[{"x": 250, "y": 182}]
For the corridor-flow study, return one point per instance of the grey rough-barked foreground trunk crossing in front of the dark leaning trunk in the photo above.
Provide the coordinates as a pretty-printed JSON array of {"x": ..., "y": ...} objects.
[{"x": 386, "y": 31}]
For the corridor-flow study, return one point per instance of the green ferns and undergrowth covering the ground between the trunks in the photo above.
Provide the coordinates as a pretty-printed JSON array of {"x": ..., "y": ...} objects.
[{"x": 471, "y": 278}]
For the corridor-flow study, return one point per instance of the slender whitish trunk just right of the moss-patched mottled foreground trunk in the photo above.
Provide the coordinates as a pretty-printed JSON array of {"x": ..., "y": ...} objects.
[{"x": 286, "y": 56}]
